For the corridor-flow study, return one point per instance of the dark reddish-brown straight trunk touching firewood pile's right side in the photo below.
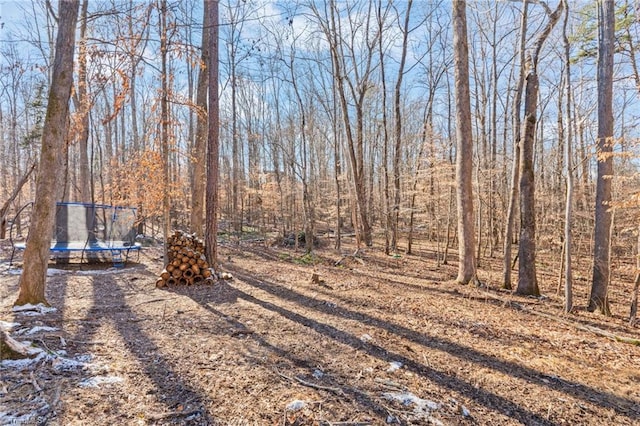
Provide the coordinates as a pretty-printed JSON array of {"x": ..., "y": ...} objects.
[{"x": 213, "y": 153}]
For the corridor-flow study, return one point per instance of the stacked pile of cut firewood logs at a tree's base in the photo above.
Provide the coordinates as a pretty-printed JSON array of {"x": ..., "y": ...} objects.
[{"x": 186, "y": 264}]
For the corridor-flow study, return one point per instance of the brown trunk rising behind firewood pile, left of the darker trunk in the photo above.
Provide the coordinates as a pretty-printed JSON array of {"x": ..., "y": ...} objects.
[{"x": 200, "y": 148}]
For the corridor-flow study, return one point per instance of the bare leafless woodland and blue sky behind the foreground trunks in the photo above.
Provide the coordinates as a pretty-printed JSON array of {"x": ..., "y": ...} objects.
[{"x": 335, "y": 117}]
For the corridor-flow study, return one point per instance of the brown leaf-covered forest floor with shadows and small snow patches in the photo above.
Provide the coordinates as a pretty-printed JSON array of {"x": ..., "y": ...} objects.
[{"x": 375, "y": 340}]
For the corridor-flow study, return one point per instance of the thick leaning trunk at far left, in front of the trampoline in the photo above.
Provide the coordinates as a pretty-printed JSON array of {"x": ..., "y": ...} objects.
[{"x": 36, "y": 255}]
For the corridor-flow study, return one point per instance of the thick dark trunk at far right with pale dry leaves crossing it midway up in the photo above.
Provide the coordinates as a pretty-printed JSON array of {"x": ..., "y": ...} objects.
[{"x": 603, "y": 215}]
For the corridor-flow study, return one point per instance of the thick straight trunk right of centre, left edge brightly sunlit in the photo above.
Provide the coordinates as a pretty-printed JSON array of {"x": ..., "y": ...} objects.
[{"x": 464, "y": 148}]
